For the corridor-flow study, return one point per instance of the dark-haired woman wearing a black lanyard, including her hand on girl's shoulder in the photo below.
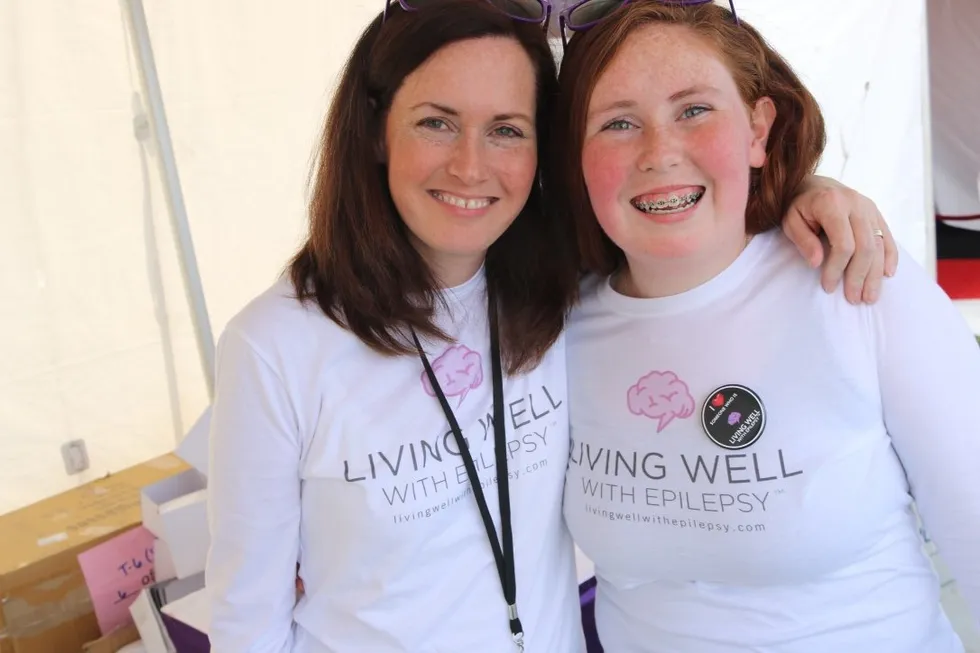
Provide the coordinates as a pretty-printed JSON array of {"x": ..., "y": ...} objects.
[{"x": 393, "y": 415}]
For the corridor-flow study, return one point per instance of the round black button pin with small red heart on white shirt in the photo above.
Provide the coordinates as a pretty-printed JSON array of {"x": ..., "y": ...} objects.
[{"x": 733, "y": 417}]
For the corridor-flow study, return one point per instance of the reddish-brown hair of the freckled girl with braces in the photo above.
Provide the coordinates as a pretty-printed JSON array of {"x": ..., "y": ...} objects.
[{"x": 796, "y": 140}]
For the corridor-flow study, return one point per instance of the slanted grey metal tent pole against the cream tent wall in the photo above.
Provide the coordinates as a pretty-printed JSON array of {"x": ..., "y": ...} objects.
[{"x": 140, "y": 34}]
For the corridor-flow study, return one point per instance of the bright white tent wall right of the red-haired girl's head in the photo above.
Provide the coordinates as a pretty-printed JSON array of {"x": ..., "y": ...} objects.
[{"x": 865, "y": 64}]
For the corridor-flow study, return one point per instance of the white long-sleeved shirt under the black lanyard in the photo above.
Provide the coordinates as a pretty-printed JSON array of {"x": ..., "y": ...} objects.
[{"x": 329, "y": 454}]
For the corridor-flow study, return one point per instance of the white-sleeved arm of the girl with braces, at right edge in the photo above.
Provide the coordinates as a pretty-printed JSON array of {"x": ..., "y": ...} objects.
[{"x": 929, "y": 371}]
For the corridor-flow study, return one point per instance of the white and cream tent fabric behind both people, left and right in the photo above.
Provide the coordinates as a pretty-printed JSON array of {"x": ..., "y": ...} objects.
[{"x": 97, "y": 340}]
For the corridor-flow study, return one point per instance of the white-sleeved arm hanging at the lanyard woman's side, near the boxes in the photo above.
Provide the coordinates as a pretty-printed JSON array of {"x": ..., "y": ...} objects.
[{"x": 254, "y": 503}]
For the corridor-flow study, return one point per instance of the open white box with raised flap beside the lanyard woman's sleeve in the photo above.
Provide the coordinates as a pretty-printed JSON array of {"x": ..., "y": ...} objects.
[{"x": 175, "y": 509}]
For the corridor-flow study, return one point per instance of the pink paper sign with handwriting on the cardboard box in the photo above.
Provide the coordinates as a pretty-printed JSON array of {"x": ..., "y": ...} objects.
[{"x": 115, "y": 572}]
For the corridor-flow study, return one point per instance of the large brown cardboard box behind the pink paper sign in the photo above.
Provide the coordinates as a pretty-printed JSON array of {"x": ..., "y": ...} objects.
[{"x": 44, "y": 602}]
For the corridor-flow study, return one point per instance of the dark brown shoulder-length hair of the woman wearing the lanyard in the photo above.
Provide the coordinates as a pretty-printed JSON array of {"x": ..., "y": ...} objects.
[{"x": 358, "y": 263}]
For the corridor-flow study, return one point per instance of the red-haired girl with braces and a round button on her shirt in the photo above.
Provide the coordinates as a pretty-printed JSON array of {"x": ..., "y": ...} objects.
[{"x": 746, "y": 448}]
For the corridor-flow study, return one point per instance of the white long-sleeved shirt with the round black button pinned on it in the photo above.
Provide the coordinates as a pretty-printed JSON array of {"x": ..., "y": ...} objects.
[{"x": 804, "y": 539}]
